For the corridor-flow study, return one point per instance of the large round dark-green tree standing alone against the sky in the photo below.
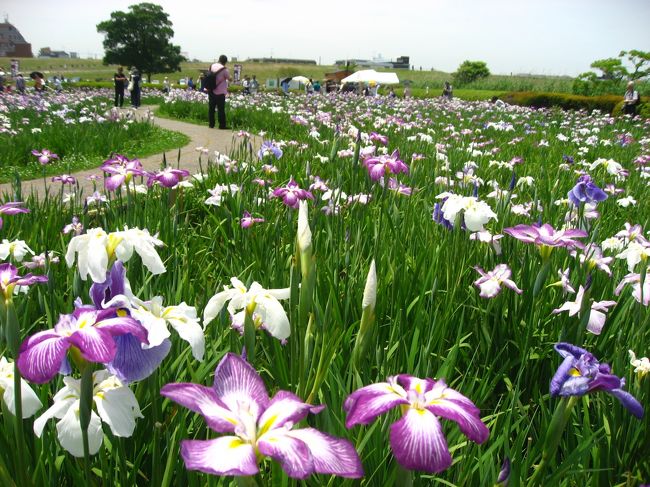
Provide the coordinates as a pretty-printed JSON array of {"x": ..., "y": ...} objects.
[{"x": 141, "y": 38}]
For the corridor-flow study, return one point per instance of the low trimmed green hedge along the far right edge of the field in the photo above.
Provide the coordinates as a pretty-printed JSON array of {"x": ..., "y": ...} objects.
[{"x": 604, "y": 103}]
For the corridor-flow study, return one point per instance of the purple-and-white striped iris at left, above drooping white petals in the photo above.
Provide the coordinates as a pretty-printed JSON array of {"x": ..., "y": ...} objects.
[{"x": 92, "y": 332}]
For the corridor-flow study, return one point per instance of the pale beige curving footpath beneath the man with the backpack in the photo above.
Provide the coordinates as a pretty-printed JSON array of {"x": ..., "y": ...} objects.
[{"x": 186, "y": 157}]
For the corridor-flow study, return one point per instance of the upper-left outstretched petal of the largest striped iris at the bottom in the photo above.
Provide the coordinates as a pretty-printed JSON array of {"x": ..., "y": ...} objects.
[{"x": 202, "y": 400}]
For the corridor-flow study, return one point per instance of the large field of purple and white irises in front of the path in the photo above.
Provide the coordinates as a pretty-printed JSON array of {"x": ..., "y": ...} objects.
[{"x": 385, "y": 292}]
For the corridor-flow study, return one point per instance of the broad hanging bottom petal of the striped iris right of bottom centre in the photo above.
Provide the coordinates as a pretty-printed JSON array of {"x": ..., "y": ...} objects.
[{"x": 418, "y": 442}]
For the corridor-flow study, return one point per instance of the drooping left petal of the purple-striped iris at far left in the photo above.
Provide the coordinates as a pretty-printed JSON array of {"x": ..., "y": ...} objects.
[{"x": 41, "y": 356}]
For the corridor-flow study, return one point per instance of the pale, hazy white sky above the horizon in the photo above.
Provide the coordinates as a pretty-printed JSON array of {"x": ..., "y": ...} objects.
[{"x": 550, "y": 37}]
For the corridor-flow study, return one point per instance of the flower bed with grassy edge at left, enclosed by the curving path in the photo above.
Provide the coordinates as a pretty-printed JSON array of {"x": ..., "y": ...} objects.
[{"x": 80, "y": 126}]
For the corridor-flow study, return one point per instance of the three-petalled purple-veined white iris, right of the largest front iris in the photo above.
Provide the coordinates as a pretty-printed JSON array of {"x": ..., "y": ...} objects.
[{"x": 416, "y": 439}]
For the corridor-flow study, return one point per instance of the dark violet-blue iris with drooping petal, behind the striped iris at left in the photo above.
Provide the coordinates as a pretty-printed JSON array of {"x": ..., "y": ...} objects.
[{"x": 132, "y": 362}]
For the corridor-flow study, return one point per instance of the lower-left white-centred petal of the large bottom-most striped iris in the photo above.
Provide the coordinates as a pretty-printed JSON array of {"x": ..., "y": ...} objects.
[{"x": 227, "y": 455}]
